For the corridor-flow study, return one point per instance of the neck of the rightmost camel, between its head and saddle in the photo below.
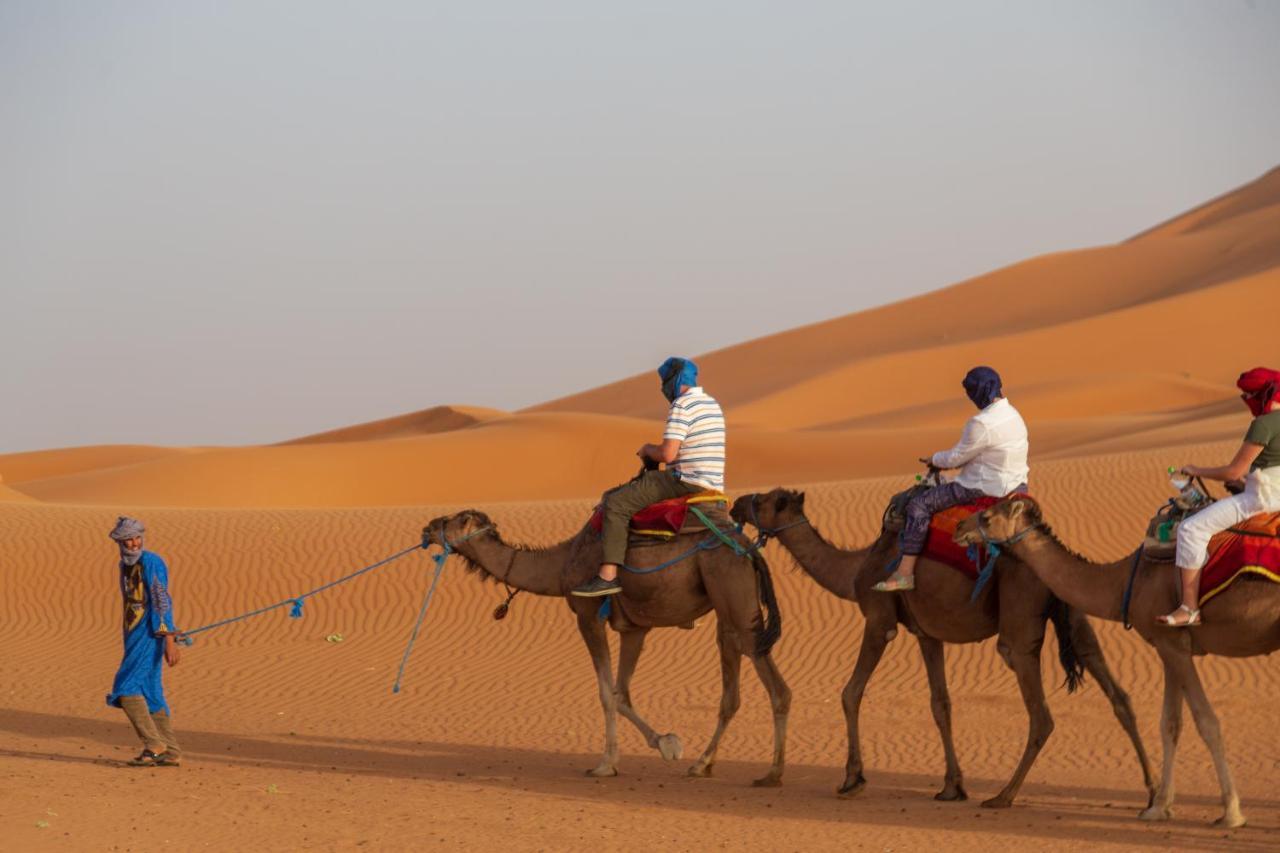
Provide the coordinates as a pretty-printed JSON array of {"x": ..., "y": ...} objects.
[{"x": 1094, "y": 589}]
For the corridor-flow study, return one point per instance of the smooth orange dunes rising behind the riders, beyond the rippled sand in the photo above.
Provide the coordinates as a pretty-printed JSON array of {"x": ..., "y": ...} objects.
[{"x": 1103, "y": 349}]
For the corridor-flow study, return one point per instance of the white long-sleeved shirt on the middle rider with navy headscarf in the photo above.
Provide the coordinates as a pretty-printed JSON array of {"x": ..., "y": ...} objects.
[{"x": 993, "y": 451}]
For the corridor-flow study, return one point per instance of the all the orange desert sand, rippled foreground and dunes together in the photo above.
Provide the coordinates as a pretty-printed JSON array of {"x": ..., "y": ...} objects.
[{"x": 1122, "y": 359}]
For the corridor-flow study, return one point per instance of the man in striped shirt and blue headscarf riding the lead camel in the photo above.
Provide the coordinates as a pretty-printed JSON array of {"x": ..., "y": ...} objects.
[{"x": 693, "y": 450}]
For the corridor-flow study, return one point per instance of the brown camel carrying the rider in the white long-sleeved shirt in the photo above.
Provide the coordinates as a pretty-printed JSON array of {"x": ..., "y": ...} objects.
[{"x": 1016, "y": 606}]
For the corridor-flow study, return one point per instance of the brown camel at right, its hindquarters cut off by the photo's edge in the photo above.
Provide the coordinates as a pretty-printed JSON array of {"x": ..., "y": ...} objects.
[{"x": 1242, "y": 622}]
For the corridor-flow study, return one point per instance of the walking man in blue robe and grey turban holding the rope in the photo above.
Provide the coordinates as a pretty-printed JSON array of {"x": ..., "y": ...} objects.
[{"x": 150, "y": 641}]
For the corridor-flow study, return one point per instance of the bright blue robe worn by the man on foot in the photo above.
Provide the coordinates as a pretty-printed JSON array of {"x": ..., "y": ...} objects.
[{"x": 148, "y": 618}]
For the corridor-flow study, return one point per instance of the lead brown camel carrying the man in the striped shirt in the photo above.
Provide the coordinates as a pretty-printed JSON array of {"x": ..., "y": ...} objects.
[{"x": 708, "y": 580}]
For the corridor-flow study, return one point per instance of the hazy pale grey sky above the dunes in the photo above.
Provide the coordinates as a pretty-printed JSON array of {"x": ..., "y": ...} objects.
[{"x": 243, "y": 222}]
